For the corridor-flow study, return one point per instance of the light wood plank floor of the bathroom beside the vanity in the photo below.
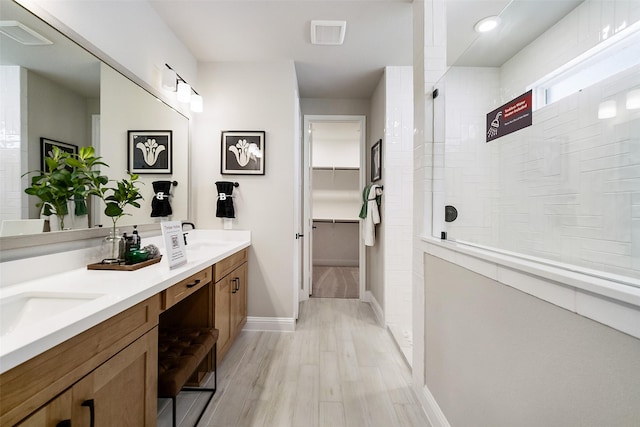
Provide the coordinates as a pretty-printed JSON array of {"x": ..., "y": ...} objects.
[{"x": 339, "y": 368}]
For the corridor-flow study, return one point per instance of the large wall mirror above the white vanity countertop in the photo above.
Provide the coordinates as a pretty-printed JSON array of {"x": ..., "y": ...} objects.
[{"x": 54, "y": 90}]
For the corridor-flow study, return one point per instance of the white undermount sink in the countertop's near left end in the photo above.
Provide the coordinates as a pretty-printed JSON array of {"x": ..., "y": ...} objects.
[{"x": 28, "y": 308}]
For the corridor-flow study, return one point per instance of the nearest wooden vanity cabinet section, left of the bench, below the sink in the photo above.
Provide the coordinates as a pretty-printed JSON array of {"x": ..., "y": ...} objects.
[{"x": 114, "y": 364}]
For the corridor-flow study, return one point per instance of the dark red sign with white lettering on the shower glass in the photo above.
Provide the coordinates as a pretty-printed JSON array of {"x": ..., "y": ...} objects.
[{"x": 512, "y": 116}]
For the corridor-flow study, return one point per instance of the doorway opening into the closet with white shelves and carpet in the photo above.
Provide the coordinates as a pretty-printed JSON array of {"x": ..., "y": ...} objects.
[{"x": 334, "y": 256}]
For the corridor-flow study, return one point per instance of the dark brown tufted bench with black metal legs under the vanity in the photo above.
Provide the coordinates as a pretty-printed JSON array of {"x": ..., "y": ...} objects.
[{"x": 180, "y": 352}]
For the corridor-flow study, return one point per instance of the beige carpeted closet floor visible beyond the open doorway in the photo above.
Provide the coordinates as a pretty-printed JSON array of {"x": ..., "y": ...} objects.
[{"x": 335, "y": 282}]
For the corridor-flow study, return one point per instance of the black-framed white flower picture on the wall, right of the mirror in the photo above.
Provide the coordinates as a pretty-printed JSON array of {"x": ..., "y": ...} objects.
[{"x": 242, "y": 153}]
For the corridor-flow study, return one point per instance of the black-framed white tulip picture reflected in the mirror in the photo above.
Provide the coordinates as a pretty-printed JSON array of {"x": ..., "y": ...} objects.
[{"x": 150, "y": 151}]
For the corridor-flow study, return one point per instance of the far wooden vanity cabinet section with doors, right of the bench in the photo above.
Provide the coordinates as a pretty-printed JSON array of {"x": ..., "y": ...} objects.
[{"x": 230, "y": 294}]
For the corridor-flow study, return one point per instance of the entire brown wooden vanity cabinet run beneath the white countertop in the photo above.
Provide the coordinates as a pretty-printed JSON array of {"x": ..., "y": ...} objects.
[{"x": 111, "y": 369}]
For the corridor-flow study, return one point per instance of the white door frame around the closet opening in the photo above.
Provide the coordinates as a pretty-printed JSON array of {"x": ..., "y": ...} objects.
[{"x": 307, "y": 265}]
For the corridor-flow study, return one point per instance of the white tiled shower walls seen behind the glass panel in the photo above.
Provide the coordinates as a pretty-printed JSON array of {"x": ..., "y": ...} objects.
[{"x": 567, "y": 188}]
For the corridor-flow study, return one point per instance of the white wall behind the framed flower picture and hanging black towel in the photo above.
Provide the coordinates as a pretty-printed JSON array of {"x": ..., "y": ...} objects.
[{"x": 252, "y": 96}]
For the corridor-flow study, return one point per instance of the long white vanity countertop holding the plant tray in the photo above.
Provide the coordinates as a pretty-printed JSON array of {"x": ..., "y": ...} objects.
[{"x": 116, "y": 291}]
